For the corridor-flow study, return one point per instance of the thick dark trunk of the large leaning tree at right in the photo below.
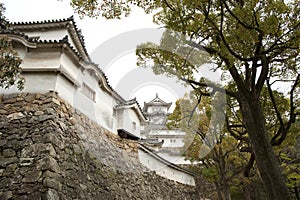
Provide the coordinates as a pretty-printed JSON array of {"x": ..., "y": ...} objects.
[{"x": 266, "y": 161}]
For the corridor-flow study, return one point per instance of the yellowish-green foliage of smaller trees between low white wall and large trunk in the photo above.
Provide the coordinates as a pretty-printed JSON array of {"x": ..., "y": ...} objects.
[{"x": 224, "y": 165}]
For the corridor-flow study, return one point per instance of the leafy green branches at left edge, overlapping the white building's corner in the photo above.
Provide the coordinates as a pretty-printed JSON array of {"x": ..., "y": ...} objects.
[{"x": 9, "y": 59}]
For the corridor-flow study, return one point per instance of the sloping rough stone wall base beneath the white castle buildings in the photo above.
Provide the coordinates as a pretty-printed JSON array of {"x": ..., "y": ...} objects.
[{"x": 48, "y": 150}]
